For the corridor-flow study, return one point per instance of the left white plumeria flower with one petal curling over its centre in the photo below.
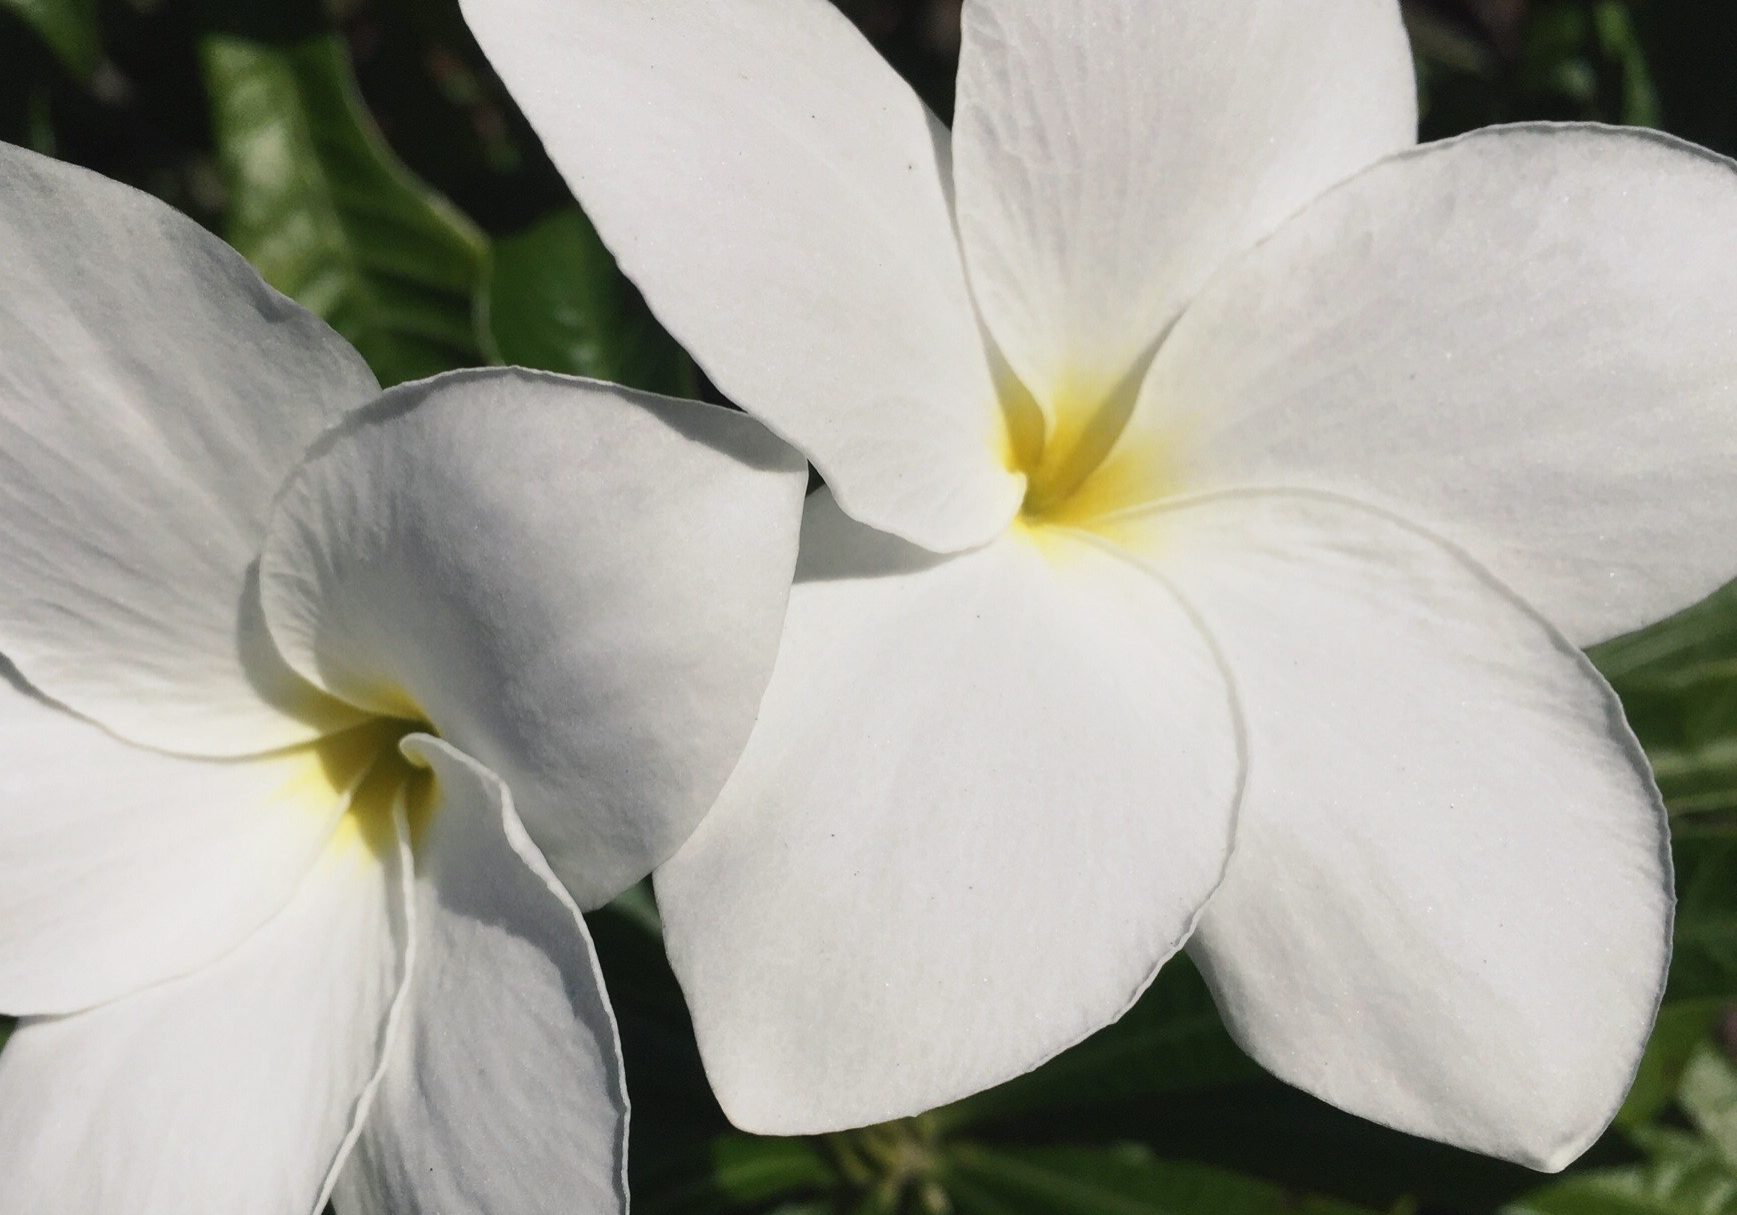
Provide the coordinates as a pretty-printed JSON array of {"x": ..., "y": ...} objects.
[{"x": 326, "y": 957}]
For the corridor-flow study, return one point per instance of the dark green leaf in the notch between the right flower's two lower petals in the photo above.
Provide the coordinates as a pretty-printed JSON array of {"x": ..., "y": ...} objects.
[{"x": 1173, "y": 1040}]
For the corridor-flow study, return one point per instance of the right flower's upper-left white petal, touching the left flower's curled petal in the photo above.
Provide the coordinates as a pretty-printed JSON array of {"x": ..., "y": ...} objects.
[{"x": 781, "y": 197}]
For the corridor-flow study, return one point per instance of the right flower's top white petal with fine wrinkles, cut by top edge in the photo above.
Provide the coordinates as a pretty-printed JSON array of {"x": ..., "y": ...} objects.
[{"x": 1111, "y": 154}]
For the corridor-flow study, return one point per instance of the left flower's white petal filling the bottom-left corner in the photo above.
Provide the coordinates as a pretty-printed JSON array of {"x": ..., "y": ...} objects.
[{"x": 230, "y": 1091}]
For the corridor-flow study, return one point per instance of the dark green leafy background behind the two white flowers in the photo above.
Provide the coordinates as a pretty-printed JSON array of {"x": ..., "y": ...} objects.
[{"x": 367, "y": 161}]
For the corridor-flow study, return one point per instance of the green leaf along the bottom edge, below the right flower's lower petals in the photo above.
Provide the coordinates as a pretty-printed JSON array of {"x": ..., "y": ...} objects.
[{"x": 1111, "y": 1181}]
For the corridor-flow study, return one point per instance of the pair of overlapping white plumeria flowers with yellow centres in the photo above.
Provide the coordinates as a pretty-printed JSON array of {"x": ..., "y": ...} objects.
[{"x": 1219, "y": 491}]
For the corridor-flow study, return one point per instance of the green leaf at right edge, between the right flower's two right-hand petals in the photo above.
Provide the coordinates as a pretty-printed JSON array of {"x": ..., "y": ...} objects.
[{"x": 1679, "y": 687}]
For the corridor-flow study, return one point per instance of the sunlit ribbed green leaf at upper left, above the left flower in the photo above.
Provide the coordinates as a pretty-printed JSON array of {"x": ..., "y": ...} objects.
[{"x": 329, "y": 215}]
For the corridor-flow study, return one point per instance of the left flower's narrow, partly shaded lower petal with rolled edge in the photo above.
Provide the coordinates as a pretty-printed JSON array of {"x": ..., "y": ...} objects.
[{"x": 506, "y": 993}]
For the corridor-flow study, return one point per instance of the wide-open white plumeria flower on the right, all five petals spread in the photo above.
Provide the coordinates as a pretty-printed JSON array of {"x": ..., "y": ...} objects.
[{"x": 1172, "y": 486}]
